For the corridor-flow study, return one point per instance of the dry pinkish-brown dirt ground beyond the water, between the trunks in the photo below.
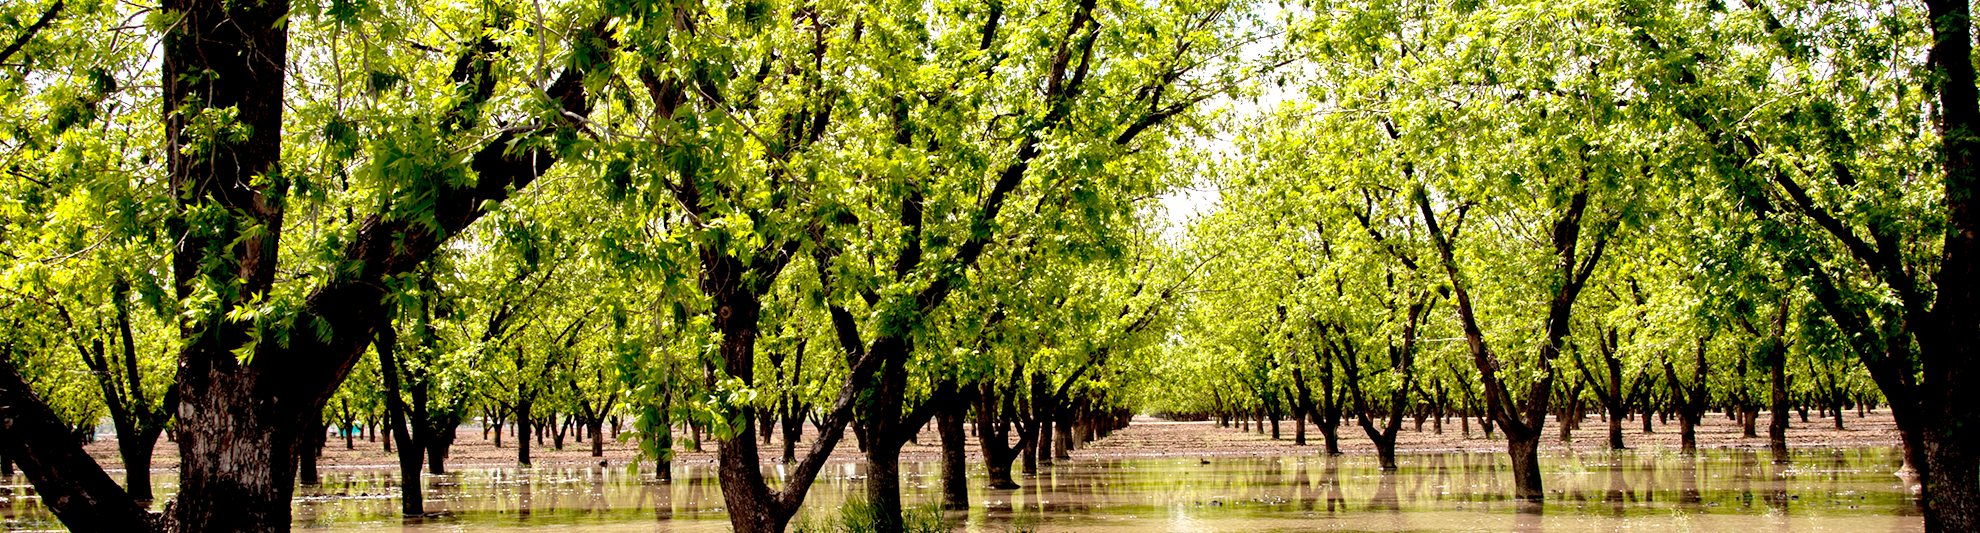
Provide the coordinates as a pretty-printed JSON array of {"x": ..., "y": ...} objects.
[{"x": 1143, "y": 439}]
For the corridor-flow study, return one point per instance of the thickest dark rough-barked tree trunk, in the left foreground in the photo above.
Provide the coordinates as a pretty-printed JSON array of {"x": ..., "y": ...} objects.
[{"x": 237, "y": 437}]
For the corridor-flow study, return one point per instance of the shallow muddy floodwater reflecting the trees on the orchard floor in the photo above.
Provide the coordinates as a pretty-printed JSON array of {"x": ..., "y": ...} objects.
[{"x": 1720, "y": 490}]
